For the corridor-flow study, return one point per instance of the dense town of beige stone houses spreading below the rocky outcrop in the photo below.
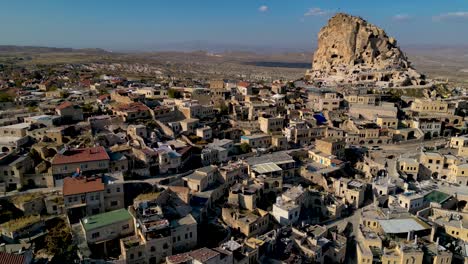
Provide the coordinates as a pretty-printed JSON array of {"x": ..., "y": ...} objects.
[{"x": 100, "y": 167}]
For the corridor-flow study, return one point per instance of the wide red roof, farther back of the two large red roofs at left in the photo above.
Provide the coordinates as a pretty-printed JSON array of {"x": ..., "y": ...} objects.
[{"x": 81, "y": 155}]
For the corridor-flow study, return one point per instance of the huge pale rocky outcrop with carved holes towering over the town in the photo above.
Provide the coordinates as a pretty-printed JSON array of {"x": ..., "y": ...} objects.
[{"x": 352, "y": 51}]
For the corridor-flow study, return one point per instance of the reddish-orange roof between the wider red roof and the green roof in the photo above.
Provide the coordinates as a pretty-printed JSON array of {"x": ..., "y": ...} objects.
[{"x": 72, "y": 186}]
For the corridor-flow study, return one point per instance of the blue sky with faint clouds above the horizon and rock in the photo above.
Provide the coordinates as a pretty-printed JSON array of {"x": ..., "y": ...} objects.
[{"x": 282, "y": 24}]
